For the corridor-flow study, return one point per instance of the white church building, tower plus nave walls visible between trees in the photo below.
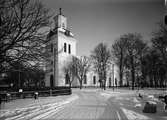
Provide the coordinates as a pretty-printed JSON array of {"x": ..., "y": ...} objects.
[{"x": 60, "y": 48}]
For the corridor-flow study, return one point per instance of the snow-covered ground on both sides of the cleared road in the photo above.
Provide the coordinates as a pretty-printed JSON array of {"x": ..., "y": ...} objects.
[{"x": 127, "y": 101}]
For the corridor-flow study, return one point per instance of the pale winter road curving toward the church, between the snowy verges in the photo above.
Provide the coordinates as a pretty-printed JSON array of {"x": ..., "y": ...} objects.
[{"x": 90, "y": 105}]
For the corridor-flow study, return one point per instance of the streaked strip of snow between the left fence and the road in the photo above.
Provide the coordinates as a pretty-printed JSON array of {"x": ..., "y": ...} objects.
[{"x": 36, "y": 111}]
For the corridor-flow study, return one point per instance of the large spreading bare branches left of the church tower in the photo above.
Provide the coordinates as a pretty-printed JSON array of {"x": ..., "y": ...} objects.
[{"x": 20, "y": 39}]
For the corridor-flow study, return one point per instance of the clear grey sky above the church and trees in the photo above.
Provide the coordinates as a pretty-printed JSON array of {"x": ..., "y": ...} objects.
[{"x": 96, "y": 21}]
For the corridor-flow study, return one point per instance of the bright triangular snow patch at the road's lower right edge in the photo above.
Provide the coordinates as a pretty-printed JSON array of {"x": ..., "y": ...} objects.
[{"x": 131, "y": 115}]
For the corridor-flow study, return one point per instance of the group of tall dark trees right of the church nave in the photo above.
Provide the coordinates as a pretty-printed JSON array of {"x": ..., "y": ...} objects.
[{"x": 143, "y": 64}]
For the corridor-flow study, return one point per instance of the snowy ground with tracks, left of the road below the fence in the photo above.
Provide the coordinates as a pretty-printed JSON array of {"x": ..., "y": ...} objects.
[{"x": 38, "y": 109}]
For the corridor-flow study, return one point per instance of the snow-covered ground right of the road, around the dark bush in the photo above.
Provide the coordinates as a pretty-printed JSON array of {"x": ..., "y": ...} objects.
[{"x": 132, "y": 104}]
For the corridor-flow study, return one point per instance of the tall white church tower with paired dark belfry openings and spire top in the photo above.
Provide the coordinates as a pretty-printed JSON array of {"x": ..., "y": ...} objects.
[{"x": 60, "y": 48}]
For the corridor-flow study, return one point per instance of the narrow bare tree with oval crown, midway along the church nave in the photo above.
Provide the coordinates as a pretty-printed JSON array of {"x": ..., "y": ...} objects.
[{"x": 101, "y": 58}]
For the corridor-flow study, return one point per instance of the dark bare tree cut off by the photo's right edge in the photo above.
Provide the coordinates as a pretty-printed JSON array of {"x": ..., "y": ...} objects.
[{"x": 159, "y": 43}]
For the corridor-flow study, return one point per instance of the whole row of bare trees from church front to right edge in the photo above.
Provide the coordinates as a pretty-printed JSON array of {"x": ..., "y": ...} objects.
[{"x": 140, "y": 63}]
